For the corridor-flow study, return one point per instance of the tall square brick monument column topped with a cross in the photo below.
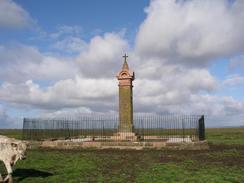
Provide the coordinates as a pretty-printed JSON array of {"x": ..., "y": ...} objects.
[{"x": 125, "y": 77}]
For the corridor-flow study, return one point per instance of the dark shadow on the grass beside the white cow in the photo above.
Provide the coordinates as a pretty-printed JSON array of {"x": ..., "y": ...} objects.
[{"x": 22, "y": 173}]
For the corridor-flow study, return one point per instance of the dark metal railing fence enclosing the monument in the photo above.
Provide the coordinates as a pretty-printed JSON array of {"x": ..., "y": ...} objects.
[{"x": 105, "y": 128}]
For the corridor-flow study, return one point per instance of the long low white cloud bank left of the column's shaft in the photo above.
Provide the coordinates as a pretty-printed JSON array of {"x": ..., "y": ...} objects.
[{"x": 91, "y": 93}]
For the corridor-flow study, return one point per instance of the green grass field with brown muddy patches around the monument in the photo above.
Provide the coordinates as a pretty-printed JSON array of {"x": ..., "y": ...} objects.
[{"x": 224, "y": 162}]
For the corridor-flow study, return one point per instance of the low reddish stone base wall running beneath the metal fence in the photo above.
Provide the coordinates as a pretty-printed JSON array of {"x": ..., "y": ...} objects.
[{"x": 160, "y": 145}]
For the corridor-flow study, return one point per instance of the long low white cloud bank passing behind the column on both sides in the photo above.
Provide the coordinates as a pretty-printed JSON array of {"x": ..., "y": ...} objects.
[{"x": 102, "y": 93}]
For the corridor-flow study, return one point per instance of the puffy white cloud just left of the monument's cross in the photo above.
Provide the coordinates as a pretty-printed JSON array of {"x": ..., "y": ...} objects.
[{"x": 101, "y": 58}]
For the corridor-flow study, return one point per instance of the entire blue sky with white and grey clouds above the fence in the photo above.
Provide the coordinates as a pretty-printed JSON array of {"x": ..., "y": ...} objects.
[{"x": 61, "y": 57}]
